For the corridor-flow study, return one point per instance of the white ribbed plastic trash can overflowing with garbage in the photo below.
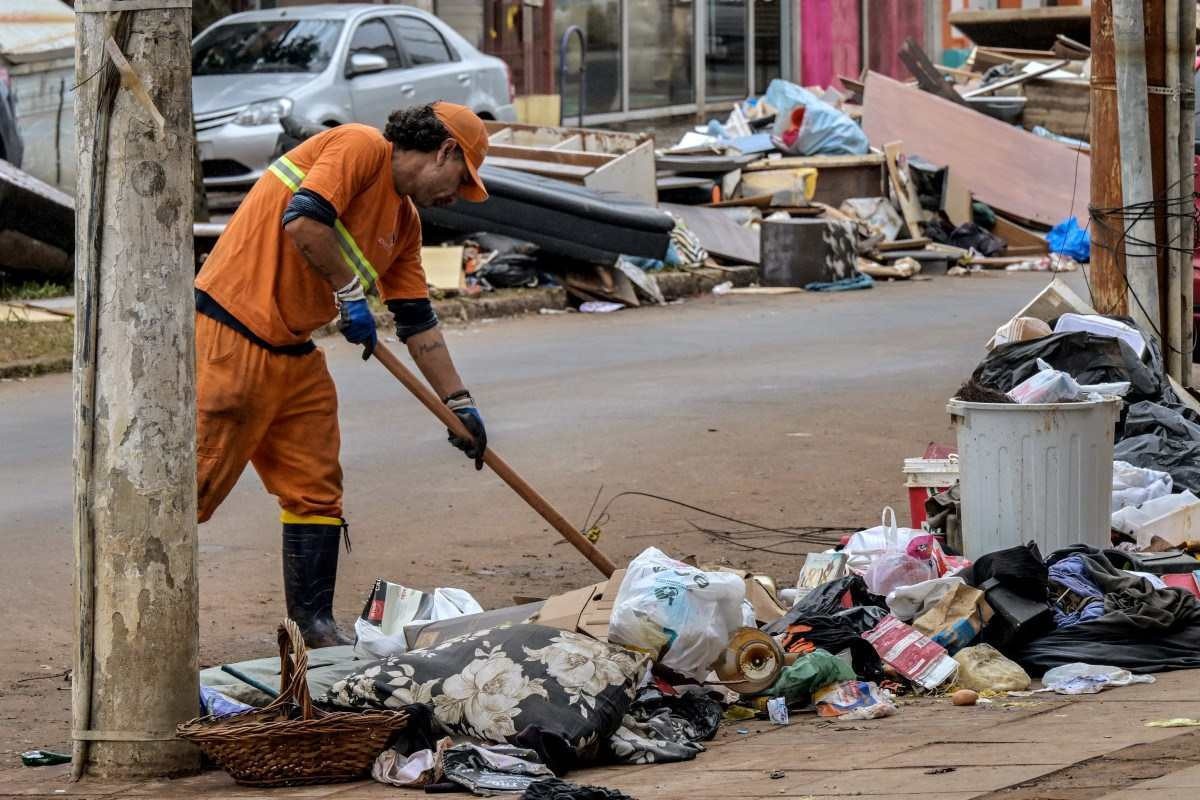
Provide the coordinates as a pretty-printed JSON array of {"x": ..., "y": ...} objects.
[{"x": 1037, "y": 473}]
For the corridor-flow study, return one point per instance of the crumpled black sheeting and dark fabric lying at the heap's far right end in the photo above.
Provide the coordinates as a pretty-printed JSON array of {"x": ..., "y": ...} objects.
[{"x": 1143, "y": 629}]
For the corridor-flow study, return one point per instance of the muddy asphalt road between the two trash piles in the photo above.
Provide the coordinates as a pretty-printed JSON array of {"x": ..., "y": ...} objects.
[{"x": 784, "y": 411}]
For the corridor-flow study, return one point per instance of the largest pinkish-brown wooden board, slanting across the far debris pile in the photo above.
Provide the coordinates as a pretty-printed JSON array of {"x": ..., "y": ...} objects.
[{"x": 1009, "y": 169}]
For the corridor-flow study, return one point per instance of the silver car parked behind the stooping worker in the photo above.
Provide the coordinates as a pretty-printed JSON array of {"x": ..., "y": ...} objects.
[{"x": 327, "y": 65}]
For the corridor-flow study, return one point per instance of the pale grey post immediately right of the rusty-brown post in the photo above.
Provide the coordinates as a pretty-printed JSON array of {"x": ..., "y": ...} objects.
[{"x": 1137, "y": 167}]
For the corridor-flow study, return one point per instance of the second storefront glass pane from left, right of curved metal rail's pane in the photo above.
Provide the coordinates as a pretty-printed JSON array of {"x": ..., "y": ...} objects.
[{"x": 661, "y": 47}]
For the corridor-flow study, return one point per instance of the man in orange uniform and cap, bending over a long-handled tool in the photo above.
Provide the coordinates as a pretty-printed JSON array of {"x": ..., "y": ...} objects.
[{"x": 332, "y": 221}]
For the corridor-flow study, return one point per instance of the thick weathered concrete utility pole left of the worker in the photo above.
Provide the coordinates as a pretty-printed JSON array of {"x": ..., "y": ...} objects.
[{"x": 135, "y": 450}]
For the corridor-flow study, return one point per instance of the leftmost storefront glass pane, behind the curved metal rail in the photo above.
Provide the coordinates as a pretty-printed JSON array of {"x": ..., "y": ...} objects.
[{"x": 601, "y": 21}]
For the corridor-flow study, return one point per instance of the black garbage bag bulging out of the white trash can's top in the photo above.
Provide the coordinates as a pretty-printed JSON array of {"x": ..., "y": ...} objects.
[{"x": 1088, "y": 358}]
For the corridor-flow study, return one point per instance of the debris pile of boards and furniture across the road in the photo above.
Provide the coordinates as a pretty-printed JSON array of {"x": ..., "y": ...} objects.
[{"x": 823, "y": 190}]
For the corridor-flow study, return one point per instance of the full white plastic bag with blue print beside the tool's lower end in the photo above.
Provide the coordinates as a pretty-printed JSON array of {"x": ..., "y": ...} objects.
[{"x": 680, "y": 615}]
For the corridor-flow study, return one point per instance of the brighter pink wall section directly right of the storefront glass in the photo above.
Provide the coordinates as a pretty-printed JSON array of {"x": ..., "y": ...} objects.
[{"x": 830, "y": 41}]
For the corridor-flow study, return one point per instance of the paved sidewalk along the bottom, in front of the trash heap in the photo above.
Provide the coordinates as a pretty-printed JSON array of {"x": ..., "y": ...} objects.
[{"x": 1021, "y": 749}]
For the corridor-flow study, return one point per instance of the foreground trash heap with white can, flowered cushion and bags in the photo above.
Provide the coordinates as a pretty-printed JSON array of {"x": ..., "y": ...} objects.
[{"x": 1034, "y": 550}]
